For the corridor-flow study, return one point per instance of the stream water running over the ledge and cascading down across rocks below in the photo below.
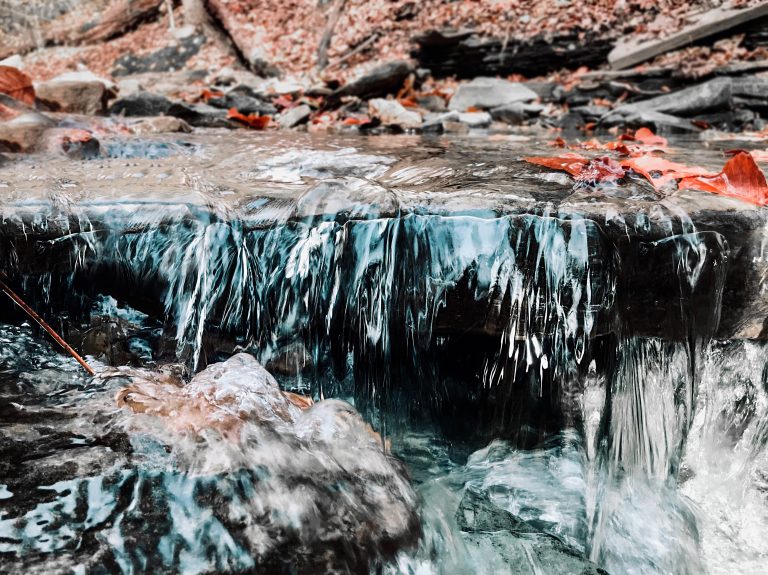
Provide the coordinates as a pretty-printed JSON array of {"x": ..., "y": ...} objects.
[{"x": 563, "y": 380}]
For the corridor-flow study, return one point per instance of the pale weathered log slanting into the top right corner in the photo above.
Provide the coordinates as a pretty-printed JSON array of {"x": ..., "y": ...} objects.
[{"x": 631, "y": 52}]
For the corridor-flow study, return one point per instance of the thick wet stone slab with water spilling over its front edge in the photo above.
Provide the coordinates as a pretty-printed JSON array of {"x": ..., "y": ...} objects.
[{"x": 442, "y": 208}]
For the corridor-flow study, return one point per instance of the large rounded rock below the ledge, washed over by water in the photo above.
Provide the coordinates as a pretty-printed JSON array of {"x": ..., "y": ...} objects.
[{"x": 270, "y": 483}]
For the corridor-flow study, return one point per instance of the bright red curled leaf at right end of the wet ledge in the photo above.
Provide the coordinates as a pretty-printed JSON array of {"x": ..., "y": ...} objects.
[{"x": 740, "y": 178}]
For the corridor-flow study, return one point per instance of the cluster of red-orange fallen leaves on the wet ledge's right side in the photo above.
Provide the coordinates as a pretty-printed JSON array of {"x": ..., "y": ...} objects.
[{"x": 740, "y": 177}]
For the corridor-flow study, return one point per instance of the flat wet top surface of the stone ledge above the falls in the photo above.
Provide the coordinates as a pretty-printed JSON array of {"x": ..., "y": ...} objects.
[{"x": 261, "y": 180}]
